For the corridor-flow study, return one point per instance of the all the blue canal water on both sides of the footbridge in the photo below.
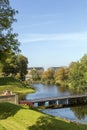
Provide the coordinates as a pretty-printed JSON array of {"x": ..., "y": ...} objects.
[{"x": 78, "y": 114}]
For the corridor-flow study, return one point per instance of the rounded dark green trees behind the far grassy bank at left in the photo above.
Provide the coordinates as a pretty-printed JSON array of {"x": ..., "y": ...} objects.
[{"x": 15, "y": 65}]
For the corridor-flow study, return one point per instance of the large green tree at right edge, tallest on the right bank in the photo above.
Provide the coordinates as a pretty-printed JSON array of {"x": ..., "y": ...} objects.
[{"x": 78, "y": 73}]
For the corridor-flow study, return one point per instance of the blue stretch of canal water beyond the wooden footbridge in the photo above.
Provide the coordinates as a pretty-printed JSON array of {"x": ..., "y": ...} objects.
[{"x": 43, "y": 91}]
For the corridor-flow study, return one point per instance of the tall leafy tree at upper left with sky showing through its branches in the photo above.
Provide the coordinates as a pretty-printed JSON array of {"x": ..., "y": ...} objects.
[{"x": 8, "y": 40}]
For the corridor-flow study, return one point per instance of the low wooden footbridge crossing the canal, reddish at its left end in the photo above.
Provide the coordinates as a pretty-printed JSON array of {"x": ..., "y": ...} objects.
[{"x": 56, "y": 101}]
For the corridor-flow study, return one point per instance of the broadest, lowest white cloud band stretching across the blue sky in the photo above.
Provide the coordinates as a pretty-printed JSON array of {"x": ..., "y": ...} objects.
[{"x": 26, "y": 38}]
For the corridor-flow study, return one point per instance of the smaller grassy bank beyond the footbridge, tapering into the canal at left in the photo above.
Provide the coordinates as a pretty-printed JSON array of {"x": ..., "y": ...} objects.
[{"x": 14, "y": 85}]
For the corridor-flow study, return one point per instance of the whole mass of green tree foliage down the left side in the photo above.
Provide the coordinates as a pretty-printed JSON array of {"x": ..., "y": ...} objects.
[{"x": 10, "y": 62}]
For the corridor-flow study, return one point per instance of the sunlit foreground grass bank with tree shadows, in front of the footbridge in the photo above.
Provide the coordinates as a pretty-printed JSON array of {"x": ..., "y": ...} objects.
[{"x": 13, "y": 117}]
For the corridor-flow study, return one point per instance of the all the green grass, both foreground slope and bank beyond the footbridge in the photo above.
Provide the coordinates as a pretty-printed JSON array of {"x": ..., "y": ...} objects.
[{"x": 16, "y": 117}]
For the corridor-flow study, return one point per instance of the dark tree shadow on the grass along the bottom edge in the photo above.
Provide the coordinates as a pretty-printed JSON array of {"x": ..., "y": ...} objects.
[{"x": 51, "y": 123}]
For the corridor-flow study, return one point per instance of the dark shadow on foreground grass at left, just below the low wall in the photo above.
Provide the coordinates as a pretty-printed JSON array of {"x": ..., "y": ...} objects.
[{"x": 8, "y": 109}]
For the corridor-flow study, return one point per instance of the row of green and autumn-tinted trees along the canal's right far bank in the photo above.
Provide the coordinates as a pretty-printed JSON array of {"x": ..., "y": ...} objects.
[{"x": 74, "y": 76}]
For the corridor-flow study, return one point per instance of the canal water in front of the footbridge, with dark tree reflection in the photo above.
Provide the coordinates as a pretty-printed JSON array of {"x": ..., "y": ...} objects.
[{"x": 78, "y": 114}]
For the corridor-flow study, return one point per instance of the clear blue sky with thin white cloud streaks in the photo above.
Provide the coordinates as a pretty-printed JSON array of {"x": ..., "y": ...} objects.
[{"x": 52, "y": 33}]
